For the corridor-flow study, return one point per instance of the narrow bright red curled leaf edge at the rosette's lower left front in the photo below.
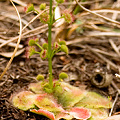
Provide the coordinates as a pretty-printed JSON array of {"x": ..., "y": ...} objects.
[{"x": 46, "y": 113}]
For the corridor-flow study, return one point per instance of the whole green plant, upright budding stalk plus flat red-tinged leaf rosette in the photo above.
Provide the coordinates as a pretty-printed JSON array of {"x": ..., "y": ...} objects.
[{"x": 56, "y": 99}]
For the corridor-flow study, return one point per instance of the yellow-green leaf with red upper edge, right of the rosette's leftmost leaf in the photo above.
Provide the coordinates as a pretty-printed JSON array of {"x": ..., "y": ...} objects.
[{"x": 47, "y": 102}]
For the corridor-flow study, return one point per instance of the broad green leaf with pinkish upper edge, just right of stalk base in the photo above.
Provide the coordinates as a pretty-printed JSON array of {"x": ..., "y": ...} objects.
[{"x": 69, "y": 96}]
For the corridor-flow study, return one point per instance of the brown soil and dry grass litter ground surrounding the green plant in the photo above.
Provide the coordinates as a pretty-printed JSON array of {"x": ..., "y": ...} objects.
[{"x": 91, "y": 57}]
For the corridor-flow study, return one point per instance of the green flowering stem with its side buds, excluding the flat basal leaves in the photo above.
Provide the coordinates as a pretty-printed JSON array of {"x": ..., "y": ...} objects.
[{"x": 47, "y": 49}]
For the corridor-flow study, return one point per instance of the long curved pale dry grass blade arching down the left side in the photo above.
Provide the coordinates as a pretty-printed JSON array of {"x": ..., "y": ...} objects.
[{"x": 15, "y": 50}]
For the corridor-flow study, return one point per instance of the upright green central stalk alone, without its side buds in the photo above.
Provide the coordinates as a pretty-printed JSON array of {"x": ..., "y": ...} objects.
[{"x": 49, "y": 46}]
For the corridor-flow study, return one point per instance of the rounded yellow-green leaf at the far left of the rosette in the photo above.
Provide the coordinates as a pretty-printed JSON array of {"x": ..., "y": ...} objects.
[{"x": 24, "y": 100}]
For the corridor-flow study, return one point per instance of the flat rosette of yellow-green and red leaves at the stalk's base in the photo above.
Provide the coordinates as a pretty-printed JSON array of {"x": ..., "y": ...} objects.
[{"x": 65, "y": 102}]
